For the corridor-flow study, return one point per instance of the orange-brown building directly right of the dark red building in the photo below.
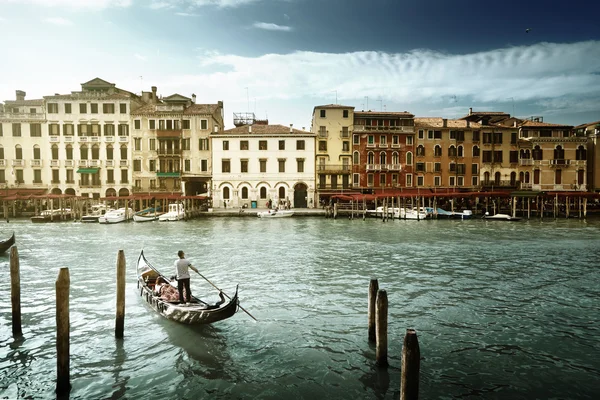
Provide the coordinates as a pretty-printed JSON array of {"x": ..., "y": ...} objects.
[{"x": 447, "y": 153}]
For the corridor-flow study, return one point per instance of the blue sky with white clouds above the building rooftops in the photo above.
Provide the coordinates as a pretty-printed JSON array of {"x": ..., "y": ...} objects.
[{"x": 281, "y": 58}]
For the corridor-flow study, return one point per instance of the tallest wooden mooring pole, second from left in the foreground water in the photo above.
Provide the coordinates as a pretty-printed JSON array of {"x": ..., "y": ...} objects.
[{"x": 62, "y": 331}]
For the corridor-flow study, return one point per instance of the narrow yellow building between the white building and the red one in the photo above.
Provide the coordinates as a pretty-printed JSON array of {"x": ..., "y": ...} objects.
[{"x": 333, "y": 126}]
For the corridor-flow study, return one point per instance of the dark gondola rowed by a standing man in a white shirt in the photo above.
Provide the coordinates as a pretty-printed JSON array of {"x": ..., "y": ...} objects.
[{"x": 197, "y": 312}]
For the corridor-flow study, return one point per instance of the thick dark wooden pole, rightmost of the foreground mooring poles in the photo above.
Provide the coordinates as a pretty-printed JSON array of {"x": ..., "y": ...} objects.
[{"x": 411, "y": 364}]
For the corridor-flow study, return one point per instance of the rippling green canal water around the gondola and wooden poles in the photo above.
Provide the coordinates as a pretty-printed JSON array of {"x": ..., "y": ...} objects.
[{"x": 503, "y": 310}]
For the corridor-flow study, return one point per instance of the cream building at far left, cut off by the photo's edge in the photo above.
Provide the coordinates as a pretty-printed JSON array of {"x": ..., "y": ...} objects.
[{"x": 24, "y": 149}]
